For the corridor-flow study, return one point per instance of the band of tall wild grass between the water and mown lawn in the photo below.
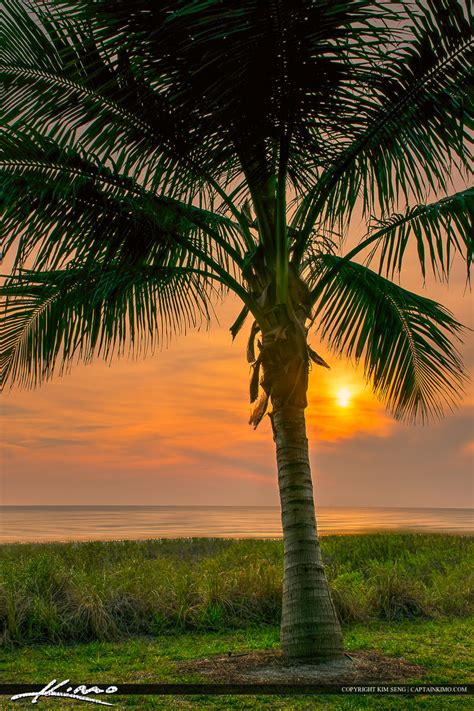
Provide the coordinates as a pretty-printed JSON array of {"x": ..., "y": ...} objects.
[{"x": 104, "y": 591}]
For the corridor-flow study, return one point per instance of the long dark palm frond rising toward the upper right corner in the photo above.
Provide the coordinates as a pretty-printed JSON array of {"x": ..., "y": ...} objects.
[{"x": 413, "y": 121}]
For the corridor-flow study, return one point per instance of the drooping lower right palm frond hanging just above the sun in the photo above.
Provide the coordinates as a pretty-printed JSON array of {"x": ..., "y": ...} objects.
[{"x": 404, "y": 340}]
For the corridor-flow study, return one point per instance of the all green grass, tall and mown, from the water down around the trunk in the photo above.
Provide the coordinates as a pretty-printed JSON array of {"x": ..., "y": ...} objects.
[{"x": 134, "y": 611}]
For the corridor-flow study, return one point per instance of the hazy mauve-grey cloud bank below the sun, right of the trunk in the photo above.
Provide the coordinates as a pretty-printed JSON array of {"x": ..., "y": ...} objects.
[{"x": 415, "y": 466}]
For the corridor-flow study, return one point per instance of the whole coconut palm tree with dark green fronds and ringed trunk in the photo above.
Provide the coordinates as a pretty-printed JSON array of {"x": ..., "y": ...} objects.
[{"x": 156, "y": 155}]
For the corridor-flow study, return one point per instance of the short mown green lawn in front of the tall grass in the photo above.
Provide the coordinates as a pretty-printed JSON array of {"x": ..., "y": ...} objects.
[{"x": 440, "y": 646}]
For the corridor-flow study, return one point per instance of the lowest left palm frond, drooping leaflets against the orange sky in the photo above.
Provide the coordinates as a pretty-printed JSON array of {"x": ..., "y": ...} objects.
[{"x": 52, "y": 319}]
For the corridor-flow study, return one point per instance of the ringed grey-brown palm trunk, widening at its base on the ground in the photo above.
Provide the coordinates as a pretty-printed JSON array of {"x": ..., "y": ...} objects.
[{"x": 310, "y": 628}]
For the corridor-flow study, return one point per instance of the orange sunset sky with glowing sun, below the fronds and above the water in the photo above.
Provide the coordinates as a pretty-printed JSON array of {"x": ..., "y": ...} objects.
[{"x": 172, "y": 429}]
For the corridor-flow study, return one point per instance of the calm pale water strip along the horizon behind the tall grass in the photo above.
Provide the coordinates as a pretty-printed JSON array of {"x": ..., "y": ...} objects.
[{"x": 75, "y": 523}]
